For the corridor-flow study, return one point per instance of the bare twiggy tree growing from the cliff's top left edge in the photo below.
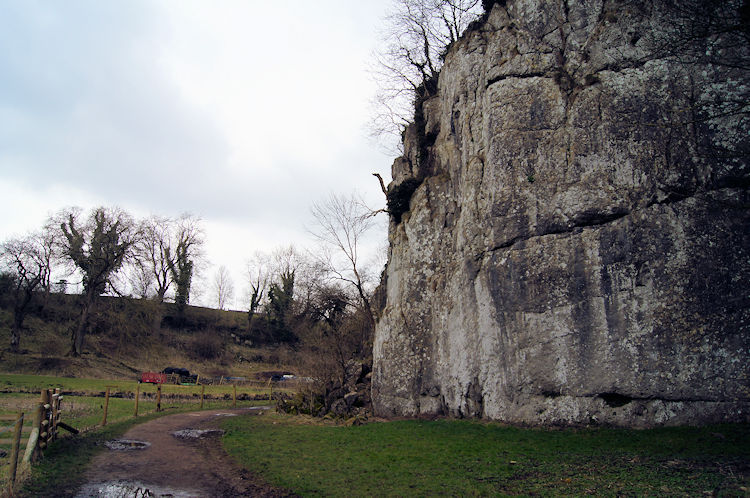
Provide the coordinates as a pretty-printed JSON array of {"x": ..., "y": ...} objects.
[{"x": 416, "y": 38}]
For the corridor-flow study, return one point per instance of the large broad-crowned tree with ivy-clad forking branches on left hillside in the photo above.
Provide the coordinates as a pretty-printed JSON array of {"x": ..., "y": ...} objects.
[{"x": 98, "y": 246}]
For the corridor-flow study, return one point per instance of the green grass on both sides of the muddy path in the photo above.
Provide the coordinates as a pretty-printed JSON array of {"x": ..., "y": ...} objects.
[{"x": 314, "y": 457}]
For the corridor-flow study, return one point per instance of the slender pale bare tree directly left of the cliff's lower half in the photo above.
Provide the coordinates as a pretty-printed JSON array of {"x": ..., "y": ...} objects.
[{"x": 340, "y": 225}]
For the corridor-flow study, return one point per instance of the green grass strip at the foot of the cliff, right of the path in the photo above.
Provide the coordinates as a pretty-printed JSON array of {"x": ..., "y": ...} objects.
[{"x": 465, "y": 458}]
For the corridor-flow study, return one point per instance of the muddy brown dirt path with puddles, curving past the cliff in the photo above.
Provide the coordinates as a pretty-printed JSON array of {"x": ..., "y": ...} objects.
[{"x": 174, "y": 466}]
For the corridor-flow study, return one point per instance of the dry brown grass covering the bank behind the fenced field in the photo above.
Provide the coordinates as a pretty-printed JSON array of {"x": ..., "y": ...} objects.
[{"x": 116, "y": 354}]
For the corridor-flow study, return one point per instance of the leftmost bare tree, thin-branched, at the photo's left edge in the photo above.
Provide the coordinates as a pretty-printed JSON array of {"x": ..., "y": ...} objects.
[{"x": 28, "y": 260}]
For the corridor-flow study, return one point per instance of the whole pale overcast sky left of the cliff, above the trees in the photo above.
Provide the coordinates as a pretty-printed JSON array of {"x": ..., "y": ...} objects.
[{"x": 241, "y": 112}]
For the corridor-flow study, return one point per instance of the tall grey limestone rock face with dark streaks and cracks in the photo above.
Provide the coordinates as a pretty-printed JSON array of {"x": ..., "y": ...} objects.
[{"x": 578, "y": 248}]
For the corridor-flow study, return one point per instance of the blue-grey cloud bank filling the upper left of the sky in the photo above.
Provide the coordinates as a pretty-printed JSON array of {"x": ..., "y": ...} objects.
[{"x": 84, "y": 102}]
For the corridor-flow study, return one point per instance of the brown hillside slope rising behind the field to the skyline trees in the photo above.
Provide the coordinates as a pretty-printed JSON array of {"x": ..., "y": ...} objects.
[{"x": 124, "y": 341}]
